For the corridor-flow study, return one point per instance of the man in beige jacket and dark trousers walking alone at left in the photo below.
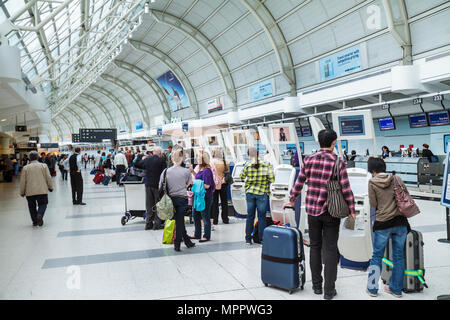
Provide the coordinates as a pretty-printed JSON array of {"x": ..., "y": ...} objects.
[{"x": 35, "y": 182}]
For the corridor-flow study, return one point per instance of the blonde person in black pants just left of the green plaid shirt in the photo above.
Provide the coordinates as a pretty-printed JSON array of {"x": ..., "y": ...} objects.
[{"x": 221, "y": 189}]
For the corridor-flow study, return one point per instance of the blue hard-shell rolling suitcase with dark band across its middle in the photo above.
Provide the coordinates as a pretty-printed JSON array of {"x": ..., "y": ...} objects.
[{"x": 283, "y": 258}]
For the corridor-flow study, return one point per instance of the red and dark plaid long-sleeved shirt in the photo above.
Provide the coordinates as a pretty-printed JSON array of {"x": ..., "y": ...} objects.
[{"x": 317, "y": 170}]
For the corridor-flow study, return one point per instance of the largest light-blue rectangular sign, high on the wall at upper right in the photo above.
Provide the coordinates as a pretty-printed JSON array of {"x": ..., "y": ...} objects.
[{"x": 340, "y": 64}]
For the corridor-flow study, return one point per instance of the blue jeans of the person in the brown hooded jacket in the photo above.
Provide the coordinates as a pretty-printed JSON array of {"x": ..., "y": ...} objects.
[{"x": 380, "y": 241}]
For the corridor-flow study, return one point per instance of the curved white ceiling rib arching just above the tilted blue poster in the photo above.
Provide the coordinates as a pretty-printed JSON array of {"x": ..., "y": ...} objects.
[{"x": 173, "y": 66}]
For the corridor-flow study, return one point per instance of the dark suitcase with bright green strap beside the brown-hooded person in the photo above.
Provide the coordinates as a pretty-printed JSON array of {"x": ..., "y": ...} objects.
[{"x": 414, "y": 278}]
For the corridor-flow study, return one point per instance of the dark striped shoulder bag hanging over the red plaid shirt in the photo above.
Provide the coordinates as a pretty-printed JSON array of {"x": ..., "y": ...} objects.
[{"x": 337, "y": 206}]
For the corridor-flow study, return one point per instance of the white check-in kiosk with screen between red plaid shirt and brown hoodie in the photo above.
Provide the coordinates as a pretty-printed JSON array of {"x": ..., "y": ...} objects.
[{"x": 355, "y": 237}]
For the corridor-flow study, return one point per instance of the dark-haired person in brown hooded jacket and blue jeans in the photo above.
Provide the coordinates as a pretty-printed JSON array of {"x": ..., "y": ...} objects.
[{"x": 389, "y": 223}]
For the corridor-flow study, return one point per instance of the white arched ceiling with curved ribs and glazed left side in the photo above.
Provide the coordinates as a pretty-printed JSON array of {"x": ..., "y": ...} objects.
[{"x": 216, "y": 48}]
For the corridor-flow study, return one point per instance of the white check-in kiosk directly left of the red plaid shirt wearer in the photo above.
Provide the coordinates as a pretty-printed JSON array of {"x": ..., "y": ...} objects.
[{"x": 285, "y": 141}]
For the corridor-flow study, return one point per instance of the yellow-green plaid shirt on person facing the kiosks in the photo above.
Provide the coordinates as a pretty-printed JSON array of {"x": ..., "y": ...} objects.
[{"x": 257, "y": 181}]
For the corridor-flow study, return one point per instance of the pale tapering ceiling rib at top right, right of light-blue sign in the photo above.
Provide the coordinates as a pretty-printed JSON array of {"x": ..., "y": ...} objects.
[{"x": 397, "y": 19}]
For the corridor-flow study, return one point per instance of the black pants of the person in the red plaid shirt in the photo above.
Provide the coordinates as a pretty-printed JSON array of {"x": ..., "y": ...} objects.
[{"x": 324, "y": 230}]
